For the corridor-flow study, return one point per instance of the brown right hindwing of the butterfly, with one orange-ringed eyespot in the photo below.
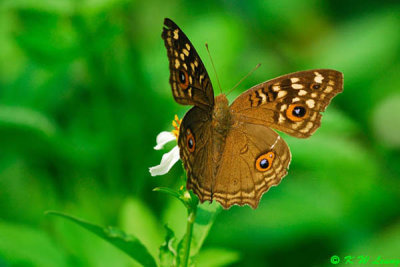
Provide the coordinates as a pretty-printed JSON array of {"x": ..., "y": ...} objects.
[{"x": 241, "y": 178}]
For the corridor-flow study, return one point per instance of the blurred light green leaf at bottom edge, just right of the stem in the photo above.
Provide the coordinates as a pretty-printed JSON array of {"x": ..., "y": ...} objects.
[{"x": 216, "y": 257}]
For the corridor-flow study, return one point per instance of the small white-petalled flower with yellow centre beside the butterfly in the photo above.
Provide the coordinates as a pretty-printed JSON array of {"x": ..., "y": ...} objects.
[{"x": 168, "y": 159}]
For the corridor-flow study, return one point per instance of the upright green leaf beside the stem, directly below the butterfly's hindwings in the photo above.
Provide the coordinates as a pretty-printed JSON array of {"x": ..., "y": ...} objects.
[{"x": 206, "y": 214}]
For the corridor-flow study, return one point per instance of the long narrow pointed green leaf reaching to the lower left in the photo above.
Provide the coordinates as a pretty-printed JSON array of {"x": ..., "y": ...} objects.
[{"x": 127, "y": 243}]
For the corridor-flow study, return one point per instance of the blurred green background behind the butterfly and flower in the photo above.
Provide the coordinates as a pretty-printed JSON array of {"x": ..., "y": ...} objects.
[{"x": 84, "y": 92}]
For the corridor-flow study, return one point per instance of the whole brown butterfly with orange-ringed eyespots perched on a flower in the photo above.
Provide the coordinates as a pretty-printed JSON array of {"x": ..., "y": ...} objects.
[{"x": 230, "y": 152}]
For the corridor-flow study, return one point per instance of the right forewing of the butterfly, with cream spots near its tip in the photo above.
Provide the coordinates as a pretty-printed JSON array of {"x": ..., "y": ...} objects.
[{"x": 291, "y": 103}]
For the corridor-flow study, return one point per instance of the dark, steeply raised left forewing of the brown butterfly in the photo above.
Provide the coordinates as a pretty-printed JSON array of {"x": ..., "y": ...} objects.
[{"x": 189, "y": 80}]
